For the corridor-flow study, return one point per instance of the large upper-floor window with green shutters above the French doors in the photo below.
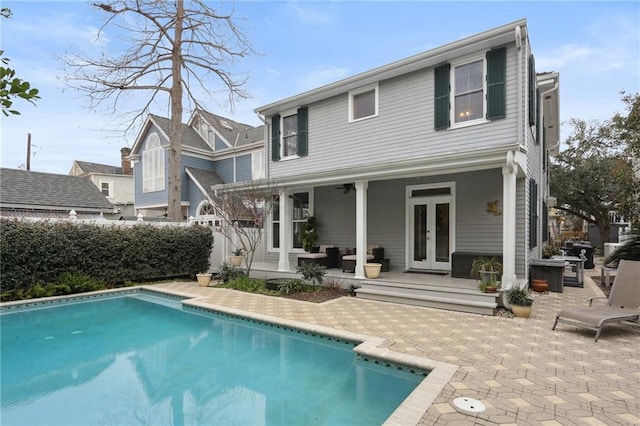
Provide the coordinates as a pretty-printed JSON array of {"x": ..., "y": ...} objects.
[{"x": 470, "y": 91}]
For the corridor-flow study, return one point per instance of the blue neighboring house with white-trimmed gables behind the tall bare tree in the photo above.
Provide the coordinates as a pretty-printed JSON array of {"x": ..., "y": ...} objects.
[{"x": 215, "y": 150}]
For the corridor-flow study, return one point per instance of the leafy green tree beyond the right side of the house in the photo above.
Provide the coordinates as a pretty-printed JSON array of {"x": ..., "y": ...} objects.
[{"x": 597, "y": 172}]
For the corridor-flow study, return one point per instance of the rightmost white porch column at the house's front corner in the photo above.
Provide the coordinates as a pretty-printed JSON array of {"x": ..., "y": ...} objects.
[{"x": 509, "y": 175}]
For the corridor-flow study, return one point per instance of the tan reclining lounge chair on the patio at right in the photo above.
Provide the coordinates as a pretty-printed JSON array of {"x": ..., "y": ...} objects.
[{"x": 623, "y": 303}]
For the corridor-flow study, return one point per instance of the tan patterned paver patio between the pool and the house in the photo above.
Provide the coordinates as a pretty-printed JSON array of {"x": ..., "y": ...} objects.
[{"x": 522, "y": 371}]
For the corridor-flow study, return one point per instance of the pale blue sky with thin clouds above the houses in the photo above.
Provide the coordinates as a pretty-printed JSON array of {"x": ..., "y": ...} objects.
[{"x": 301, "y": 45}]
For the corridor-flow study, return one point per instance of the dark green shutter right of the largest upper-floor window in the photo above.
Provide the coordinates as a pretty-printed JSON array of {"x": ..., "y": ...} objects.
[{"x": 496, "y": 83}]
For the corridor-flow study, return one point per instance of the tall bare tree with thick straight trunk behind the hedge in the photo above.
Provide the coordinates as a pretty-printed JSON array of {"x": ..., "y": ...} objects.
[{"x": 166, "y": 39}]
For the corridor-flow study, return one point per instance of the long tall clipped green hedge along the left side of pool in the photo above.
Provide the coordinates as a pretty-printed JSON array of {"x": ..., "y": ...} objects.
[{"x": 39, "y": 252}]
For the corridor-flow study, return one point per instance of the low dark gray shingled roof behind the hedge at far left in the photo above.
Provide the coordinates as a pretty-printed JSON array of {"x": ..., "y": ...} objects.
[{"x": 48, "y": 191}]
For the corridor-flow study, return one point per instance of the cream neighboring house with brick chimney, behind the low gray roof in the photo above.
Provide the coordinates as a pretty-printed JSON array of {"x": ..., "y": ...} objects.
[{"x": 116, "y": 183}]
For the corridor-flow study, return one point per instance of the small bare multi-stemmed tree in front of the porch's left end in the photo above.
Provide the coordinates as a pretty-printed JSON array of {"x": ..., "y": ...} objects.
[{"x": 243, "y": 209}]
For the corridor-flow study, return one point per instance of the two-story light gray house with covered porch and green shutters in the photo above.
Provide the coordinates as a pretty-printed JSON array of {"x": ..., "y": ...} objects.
[{"x": 438, "y": 158}]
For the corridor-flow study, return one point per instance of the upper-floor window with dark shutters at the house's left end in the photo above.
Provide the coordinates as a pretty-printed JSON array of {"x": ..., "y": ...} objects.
[{"x": 289, "y": 133}]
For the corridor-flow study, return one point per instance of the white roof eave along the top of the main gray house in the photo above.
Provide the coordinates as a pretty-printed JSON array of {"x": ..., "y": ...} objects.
[{"x": 486, "y": 40}]
